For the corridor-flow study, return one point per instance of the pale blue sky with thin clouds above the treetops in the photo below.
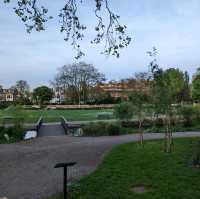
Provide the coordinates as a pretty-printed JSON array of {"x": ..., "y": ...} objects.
[{"x": 172, "y": 26}]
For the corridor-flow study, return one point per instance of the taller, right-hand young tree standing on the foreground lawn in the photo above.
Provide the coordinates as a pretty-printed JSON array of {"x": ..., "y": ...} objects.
[{"x": 162, "y": 97}]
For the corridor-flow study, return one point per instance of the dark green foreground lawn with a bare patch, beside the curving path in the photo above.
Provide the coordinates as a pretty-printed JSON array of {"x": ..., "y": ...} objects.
[{"x": 165, "y": 176}]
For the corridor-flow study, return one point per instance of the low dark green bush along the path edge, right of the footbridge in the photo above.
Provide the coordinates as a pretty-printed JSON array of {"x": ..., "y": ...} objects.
[{"x": 101, "y": 129}]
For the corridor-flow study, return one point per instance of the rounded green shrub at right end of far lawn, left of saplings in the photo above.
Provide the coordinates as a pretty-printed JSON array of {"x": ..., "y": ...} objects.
[{"x": 124, "y": 111}]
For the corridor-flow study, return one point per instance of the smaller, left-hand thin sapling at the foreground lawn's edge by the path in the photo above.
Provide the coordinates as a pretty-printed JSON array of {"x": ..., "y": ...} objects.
[{"x": 139, "y": 99}]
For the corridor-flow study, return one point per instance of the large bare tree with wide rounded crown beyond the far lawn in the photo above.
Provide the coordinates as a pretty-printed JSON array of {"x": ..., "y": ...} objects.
[{"x": 78, "y": 80}]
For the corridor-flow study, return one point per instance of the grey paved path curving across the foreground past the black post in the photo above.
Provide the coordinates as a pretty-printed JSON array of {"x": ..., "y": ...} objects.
[{"x": 27, "y": 168}]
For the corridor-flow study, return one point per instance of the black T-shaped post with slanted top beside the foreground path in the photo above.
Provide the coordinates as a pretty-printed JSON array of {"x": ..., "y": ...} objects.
[{"x": 65, "y": 166}]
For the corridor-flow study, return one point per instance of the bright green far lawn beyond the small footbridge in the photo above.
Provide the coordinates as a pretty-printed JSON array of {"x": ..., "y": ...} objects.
[{"x": 54, "y": 115}]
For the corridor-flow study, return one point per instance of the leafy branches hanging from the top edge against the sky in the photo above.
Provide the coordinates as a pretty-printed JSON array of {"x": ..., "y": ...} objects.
[{"x": 112, "y": 33}]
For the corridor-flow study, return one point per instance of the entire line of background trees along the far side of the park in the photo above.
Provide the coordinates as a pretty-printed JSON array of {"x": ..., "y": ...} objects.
[{"x": 79, "y": 83}]
